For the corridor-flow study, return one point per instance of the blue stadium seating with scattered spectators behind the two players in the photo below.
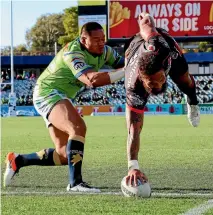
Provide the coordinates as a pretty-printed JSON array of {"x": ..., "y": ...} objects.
[{"x": 111, "y": 94}]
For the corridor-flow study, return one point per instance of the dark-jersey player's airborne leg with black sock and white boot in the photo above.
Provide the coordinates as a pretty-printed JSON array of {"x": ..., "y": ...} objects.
[{"x": 187, "y": 85}]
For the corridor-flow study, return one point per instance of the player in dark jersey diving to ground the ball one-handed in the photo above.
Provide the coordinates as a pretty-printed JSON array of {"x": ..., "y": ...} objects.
[{"x": 151, "y": 55}]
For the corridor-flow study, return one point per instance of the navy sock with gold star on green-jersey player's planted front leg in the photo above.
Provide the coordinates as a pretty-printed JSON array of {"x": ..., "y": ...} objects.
[{"x": 75, "y": 151}]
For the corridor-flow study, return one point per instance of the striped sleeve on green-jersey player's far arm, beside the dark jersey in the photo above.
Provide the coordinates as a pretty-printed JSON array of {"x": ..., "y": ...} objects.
[{"x": 112, "y": 58}]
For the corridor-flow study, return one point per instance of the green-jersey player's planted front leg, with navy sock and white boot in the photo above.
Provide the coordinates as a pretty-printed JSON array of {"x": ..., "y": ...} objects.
[{"x": 65, "y": 117}]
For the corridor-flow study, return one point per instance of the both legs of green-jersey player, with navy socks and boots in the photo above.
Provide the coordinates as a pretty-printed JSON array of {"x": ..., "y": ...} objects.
[{"x": 68, "y": 132}]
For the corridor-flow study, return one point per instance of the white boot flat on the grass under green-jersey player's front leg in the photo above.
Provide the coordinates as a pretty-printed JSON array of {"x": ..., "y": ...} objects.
[{"x": 82, "y": 187}]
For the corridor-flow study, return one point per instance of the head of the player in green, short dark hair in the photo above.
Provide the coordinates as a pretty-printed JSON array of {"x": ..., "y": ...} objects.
[{"x": 93, "y": 37}]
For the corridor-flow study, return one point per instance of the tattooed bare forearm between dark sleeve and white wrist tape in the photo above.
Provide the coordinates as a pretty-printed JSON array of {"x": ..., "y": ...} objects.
[{"x": 134, "y": 125}]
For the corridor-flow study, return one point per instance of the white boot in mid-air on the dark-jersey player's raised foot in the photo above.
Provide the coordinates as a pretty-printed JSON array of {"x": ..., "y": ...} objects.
[{"x": 193, "y": 114}]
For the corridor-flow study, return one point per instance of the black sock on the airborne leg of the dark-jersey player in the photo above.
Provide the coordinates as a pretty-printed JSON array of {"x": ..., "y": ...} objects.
[{"x": 190, "y": 92}]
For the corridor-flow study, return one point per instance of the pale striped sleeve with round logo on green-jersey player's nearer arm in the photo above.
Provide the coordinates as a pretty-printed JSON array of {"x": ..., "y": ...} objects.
[{"x": 75, "y": 60}]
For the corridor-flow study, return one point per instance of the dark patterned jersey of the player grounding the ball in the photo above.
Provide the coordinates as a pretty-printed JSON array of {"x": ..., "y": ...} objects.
[{"x": 136, "y": 95}]
